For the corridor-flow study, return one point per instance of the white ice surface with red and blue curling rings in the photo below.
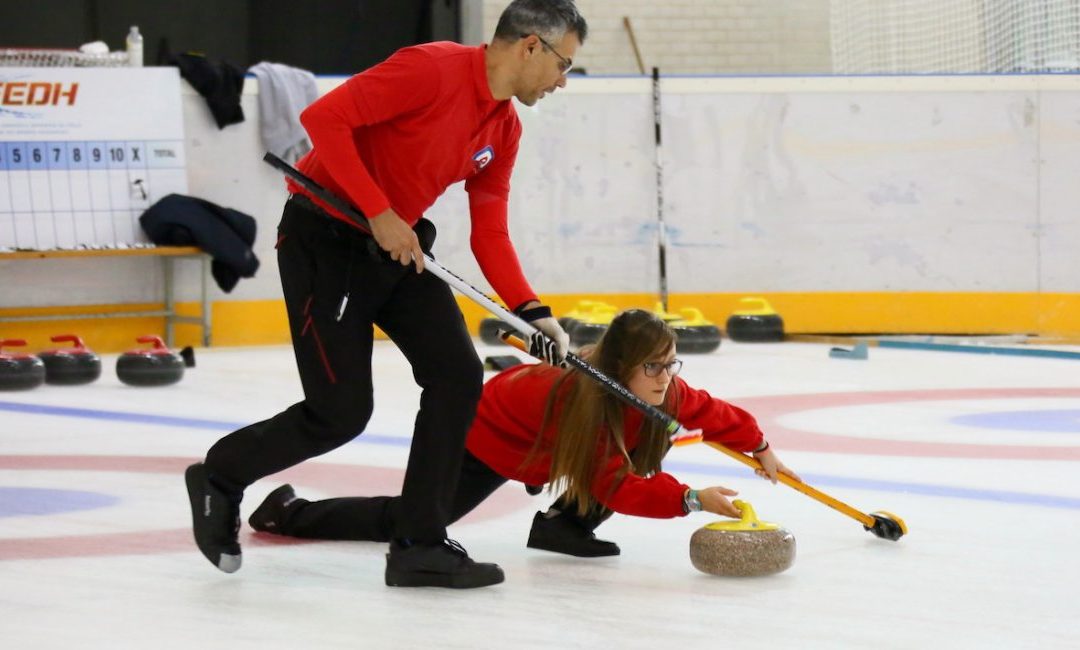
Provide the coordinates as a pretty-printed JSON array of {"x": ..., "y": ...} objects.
[{"x": 979, "y": 454}]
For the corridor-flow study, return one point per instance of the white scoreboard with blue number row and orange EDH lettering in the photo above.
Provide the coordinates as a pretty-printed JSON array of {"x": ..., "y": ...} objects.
[{"x": 85, "y": 152}]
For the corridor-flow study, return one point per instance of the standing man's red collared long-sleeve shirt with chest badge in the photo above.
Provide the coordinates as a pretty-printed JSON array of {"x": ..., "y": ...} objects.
[{"x": 397, "y": 136}]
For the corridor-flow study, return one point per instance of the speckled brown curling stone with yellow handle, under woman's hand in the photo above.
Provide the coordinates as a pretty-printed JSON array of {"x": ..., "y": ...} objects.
[{"x": 742, "y": 549}]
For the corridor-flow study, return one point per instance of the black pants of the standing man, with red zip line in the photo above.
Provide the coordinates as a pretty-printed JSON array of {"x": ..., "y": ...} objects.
[{"x": 321, "y": 261}]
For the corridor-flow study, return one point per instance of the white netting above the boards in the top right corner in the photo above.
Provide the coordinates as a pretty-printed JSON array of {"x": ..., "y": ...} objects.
[{"x": 955, "y": 36}]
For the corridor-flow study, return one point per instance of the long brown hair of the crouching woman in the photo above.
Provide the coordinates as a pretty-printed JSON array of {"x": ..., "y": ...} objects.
[{"x": 589, "y": 428}]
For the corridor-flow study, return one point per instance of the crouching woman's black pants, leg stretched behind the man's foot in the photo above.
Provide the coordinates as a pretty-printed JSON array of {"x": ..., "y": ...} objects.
[{"x": 375, "y": 519}]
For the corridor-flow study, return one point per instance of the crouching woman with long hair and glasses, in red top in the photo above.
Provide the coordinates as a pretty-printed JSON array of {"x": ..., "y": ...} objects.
[{"x": 542, "y": 425}]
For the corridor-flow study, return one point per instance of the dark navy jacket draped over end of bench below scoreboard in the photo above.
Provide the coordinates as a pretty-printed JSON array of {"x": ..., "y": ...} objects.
[{"x": 225, "y": 234}]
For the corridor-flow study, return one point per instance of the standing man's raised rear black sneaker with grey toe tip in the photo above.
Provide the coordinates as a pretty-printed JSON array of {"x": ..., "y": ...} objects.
[{"x": 215, "y": 519}]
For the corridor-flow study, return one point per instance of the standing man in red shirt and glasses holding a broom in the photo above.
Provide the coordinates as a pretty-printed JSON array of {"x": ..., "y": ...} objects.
[{"x": 390, "y": 141}]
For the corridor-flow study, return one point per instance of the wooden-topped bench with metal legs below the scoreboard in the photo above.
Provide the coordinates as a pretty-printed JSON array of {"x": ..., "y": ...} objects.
[{"x": 168, "y": 254}]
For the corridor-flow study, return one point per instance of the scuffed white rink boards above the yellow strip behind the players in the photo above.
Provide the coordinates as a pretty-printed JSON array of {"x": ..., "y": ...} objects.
[{"x": 771, "y": 185}]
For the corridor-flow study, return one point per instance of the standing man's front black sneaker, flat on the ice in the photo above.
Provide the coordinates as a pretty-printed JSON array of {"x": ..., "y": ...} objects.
[{"x": 445, "y": 564}]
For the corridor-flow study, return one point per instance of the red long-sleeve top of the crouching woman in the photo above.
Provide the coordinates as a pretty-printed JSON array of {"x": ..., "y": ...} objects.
[{"x": 511, "y": 411}]
